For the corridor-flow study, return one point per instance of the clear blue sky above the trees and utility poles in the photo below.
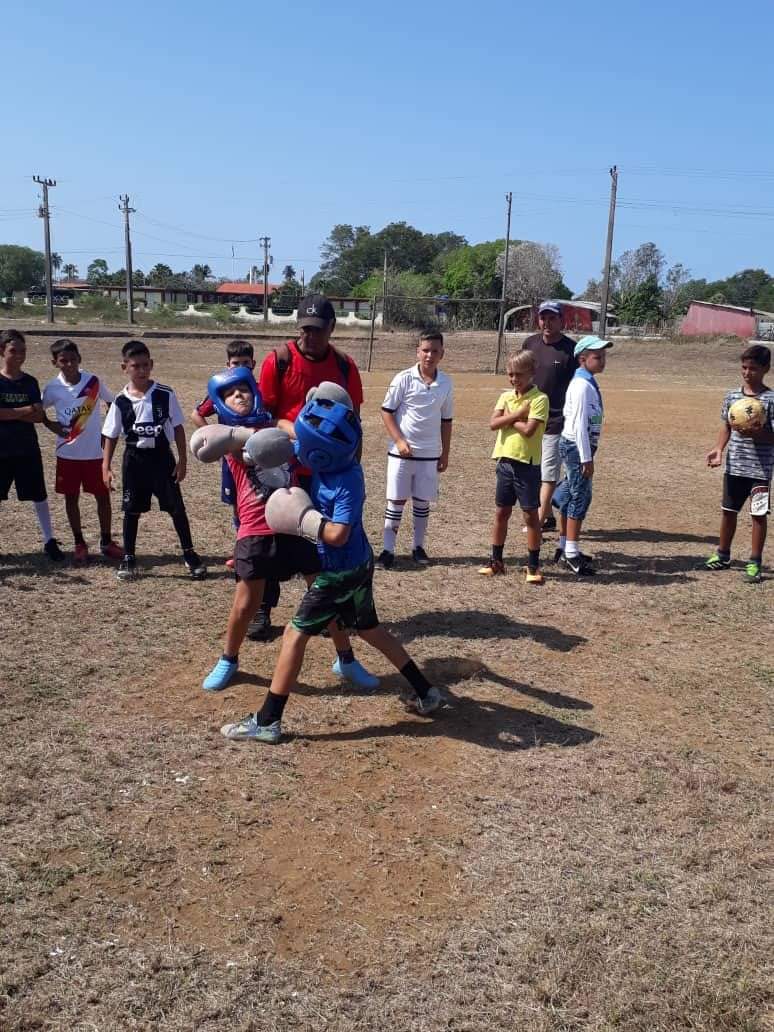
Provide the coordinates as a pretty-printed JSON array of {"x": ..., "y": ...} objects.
[{"x": 228, "y": 124}]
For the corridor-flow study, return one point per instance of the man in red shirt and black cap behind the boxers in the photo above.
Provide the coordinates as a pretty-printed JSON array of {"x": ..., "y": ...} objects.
[{"x": 286, "y": 377}]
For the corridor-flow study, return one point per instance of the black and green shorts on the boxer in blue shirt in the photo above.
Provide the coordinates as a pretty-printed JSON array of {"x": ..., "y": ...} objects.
[{"x": 345, "y": 596}]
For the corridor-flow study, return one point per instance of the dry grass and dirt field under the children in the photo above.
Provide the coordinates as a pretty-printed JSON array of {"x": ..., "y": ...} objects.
[{"x": 579, "y": 842}]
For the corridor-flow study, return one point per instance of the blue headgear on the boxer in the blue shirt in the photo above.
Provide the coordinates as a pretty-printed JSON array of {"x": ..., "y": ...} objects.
[{"x": 329, "y": 435}]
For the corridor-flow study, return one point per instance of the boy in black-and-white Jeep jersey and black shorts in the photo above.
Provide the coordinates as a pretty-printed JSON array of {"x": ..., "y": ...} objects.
[{"x": 150, "y": 418}]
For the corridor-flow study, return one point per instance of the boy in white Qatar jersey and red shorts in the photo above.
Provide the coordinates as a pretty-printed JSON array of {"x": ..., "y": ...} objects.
[{"x": 75, "y": 396}]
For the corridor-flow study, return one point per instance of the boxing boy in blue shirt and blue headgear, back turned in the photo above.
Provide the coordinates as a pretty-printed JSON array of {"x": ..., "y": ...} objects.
[{"x": 328, "y": 440}]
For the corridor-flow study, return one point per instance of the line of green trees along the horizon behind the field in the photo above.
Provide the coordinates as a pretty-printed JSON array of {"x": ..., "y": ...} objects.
[{"x": 643, "y": 287}]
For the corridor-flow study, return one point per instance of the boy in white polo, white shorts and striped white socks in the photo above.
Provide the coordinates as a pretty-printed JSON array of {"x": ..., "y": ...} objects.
[{"x": 417, "y": 414}]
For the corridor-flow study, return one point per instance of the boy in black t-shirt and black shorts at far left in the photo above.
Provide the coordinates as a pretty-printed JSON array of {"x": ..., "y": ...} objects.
[{"x": 21, "y": 463}]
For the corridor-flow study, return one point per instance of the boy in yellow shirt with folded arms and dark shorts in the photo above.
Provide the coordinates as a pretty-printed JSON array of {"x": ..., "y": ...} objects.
[{"x": 520, "y": 418}]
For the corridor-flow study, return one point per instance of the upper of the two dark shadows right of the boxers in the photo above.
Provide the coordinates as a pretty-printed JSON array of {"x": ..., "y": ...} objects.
[{"x": 473, "y": 624}]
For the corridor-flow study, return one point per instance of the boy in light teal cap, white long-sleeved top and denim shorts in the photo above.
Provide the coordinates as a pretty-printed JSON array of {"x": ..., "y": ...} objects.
[{"x": 580, "y": 438}]
